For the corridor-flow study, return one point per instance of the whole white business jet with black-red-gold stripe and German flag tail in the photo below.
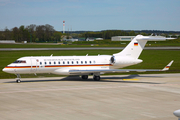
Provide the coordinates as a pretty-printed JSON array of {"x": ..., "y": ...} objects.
[{"x": 85, "y": 65}]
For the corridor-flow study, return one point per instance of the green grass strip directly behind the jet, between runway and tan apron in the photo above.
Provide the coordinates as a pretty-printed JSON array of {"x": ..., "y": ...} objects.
[{"x": 152, "y": 59}]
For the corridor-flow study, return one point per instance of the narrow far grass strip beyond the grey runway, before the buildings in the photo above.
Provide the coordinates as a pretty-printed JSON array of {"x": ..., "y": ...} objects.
[{"x": 105, "y": 43}]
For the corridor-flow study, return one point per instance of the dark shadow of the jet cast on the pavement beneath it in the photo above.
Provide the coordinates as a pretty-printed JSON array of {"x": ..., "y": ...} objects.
[{"x": 103, "y": 79}]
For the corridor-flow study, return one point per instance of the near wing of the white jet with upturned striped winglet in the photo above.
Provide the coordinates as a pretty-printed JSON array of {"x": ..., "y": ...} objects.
[{"x": 117, "y": 70}]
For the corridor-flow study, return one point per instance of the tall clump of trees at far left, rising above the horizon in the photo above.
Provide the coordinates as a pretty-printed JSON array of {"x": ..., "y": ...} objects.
[{"x": 31, "y": 33}]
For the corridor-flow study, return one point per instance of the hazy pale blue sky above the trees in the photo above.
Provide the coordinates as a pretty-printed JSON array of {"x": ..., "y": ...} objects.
[{"x": 92, "y": 15}]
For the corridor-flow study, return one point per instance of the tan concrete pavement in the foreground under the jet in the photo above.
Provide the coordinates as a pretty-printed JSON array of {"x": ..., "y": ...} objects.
[{"x": 115, "y": 97}]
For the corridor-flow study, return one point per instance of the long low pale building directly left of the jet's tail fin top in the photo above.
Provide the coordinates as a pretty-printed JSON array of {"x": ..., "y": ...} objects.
[{"x": 122, "y": 38}]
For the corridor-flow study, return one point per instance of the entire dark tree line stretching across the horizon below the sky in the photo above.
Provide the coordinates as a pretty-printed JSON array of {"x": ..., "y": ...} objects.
[{"x": 47, "y": 33}]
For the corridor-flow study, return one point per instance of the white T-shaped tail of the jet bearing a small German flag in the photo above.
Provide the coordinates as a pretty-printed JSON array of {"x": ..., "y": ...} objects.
[{"x": 135, "y": 47}]
